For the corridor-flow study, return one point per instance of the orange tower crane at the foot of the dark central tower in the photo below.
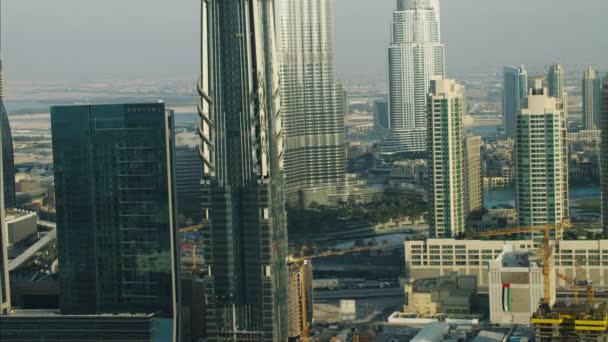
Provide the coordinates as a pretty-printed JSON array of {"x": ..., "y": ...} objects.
[{"x": 300, "y": 261}]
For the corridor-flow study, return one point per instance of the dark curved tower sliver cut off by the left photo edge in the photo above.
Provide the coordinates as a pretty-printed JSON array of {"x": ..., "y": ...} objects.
[{"x": 8, "y": 160}]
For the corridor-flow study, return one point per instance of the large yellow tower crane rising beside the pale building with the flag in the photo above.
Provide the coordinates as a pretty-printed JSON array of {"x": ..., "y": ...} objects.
[{"x": 546, "y": 248}]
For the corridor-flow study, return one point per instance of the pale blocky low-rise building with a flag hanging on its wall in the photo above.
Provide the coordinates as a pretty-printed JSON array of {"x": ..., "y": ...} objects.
[{"x": 516, "y": 287}]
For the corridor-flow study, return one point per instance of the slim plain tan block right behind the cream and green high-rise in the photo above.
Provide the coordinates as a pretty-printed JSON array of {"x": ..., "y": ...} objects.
[{"x": 473, "y": 176}]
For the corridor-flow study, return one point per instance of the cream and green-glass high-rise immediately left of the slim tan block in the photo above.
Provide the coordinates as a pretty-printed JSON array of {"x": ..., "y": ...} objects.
[{"x": 446, "y": 165}]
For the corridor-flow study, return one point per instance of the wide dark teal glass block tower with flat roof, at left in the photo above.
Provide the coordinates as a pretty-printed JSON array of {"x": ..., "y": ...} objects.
[{"x": 116, "y": 231}]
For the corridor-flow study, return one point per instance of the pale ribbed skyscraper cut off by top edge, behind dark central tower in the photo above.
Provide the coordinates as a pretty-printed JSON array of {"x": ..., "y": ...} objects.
[{"x": 313, "y": 114}]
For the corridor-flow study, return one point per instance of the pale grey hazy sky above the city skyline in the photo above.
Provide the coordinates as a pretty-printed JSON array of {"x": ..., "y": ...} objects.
[{"x": 158, "y": 39}]
